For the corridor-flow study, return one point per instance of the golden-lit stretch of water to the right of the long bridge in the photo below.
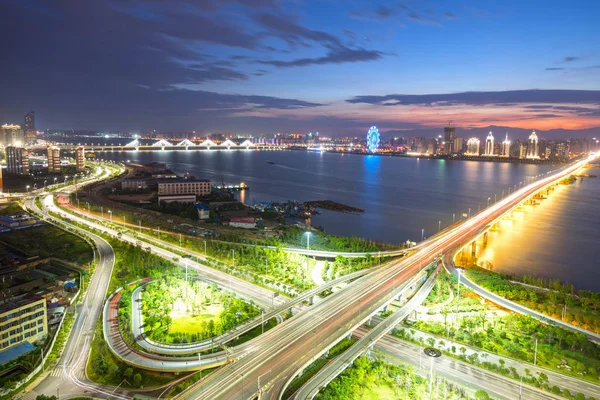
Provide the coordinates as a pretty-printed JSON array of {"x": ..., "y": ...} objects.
[{"x": 558, "y": 238}]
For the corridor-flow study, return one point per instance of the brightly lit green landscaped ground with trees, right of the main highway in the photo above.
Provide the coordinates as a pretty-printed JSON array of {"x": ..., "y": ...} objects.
[{"x": 513, "y": 345}]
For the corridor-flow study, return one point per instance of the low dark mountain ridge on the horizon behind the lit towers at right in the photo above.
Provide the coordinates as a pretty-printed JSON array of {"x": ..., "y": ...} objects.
[{"x": 498, "y": 131}]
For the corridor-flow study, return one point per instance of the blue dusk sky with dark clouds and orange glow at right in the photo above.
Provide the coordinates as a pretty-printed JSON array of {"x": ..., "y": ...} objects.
[{"x": 265, "y": 66}]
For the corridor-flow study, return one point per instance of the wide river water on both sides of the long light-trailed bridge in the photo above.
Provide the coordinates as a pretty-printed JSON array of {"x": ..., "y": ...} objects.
[{"x": 404, "y": 198}]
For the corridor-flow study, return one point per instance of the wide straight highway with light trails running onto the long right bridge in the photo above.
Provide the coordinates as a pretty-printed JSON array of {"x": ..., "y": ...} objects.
[{"x": 281, "y": 352}]
